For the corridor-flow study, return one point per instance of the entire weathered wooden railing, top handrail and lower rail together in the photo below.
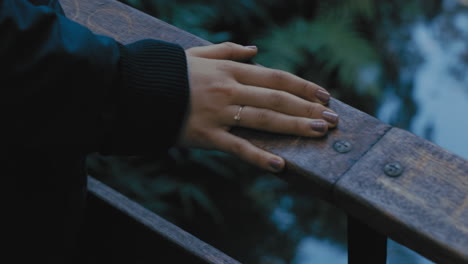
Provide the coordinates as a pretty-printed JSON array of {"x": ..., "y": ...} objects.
[{"x": 390, "y": 182}]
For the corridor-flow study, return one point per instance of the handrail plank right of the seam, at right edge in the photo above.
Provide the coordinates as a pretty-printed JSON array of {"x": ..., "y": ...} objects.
[{"x": 425, "y": 208}]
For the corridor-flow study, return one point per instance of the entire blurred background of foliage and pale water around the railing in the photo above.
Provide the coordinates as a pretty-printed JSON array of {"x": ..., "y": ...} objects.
[{"x": 402, "y": 61}]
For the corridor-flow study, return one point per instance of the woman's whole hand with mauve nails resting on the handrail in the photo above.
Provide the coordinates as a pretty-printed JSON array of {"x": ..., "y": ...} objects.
[{"x": 227, "y": 93}]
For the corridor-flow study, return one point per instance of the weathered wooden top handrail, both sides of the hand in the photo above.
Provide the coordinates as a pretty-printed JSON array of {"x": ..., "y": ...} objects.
[{"x": 425, "y": 208}]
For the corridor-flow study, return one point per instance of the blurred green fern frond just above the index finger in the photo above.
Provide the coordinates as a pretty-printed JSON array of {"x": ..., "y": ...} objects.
[{"x": 332, "y": 42}]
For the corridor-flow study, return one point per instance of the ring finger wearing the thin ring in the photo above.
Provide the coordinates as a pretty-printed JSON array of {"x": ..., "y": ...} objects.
[{"x": 271, "y": 121}]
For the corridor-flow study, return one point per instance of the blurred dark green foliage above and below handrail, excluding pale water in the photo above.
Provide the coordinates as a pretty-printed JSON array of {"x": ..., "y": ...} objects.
[{"x": 353, "y": 48}]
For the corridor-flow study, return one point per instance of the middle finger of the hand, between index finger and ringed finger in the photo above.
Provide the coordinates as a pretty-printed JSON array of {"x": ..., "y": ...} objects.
[{"x": 283, "y": 102}]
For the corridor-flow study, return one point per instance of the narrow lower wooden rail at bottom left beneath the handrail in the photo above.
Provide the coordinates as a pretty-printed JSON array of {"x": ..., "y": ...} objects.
[{"x": 158, "y": 225}]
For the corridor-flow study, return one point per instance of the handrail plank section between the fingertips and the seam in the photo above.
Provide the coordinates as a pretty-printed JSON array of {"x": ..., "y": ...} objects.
[{"x": 313, "y": 164}]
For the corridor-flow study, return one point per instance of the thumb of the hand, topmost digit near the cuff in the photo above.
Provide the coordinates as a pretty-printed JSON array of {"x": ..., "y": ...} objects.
[{"x": 224, "y": 51}]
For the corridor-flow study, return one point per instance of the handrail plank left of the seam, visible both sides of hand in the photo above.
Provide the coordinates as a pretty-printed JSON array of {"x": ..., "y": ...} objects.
[{"x": 310, "y": 161}]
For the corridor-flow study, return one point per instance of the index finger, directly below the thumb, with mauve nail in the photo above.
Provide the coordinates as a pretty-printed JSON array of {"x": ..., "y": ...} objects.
[{"x": 280, "y": 80}]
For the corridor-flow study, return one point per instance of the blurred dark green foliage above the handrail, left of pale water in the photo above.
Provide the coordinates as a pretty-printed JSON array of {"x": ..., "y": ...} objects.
[{"x": 342, "y": 45}]
